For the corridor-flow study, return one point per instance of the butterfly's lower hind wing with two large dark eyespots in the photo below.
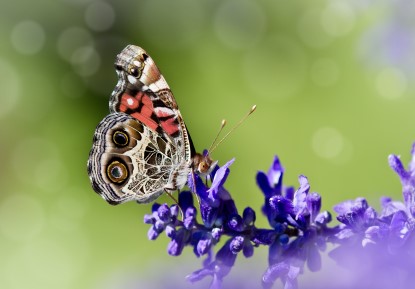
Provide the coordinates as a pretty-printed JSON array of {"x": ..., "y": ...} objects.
[{"x": 129, "y": 161}]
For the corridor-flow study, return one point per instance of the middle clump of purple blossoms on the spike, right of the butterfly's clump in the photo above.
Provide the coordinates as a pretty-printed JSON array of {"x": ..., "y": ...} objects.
[{"x": 292, "y": 215}]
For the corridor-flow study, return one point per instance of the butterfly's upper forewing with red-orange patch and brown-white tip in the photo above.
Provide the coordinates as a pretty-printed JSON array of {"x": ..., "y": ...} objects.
[{"x": 143, "y": 93}]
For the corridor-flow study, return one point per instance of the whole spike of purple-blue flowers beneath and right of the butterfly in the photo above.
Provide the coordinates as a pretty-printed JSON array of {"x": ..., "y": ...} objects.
[{"x": 298, "y": 229}]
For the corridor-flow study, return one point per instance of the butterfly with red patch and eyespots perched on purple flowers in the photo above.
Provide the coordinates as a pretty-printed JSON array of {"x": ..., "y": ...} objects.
[{"x": 142, "y": 148}]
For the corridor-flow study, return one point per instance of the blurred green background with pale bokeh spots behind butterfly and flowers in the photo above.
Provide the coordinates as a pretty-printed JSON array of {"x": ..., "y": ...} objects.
[{"x": 332, "y": 81}]
